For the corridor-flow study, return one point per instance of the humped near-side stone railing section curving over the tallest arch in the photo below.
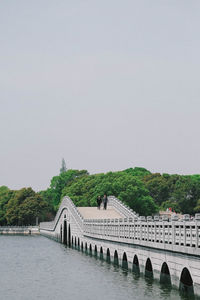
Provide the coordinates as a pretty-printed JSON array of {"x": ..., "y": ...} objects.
[{"x": 65, "y": 204}]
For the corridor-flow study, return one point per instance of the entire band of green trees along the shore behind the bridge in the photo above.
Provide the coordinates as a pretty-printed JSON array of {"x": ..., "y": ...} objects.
[{"x": 143, "y": 191}]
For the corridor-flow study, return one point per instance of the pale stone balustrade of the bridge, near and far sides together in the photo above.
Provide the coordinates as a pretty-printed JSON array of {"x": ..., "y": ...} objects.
[{"x": 173, "y": 235}]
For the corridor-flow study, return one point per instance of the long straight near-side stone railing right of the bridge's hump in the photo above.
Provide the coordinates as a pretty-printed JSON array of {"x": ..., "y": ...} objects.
[{"x": 184, "y": 234}]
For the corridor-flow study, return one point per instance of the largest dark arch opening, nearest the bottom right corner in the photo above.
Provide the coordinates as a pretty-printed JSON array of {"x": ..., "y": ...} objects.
[{"x": 186, "y": 283}]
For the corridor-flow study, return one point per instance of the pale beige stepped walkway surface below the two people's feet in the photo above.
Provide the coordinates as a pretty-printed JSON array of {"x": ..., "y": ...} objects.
[{"x": 95, "y": 213}]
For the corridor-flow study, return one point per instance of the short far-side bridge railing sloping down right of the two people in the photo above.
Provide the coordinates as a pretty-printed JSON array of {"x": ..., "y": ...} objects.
[{"x": 123, "y": 209}]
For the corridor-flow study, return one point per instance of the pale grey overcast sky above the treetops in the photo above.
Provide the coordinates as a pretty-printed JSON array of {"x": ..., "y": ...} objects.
[{"x": 105, "y": 84}]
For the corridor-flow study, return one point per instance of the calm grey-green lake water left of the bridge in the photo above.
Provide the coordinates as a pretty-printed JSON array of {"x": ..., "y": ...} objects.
[{"x": 34, "y": 267}]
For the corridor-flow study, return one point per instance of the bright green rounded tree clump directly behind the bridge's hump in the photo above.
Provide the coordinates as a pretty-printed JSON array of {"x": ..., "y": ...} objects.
[{"x": 124, "y": 185}]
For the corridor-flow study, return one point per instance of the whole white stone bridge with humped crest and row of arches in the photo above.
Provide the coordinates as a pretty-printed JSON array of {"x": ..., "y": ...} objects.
[{"x": 165, "y": 250}]
